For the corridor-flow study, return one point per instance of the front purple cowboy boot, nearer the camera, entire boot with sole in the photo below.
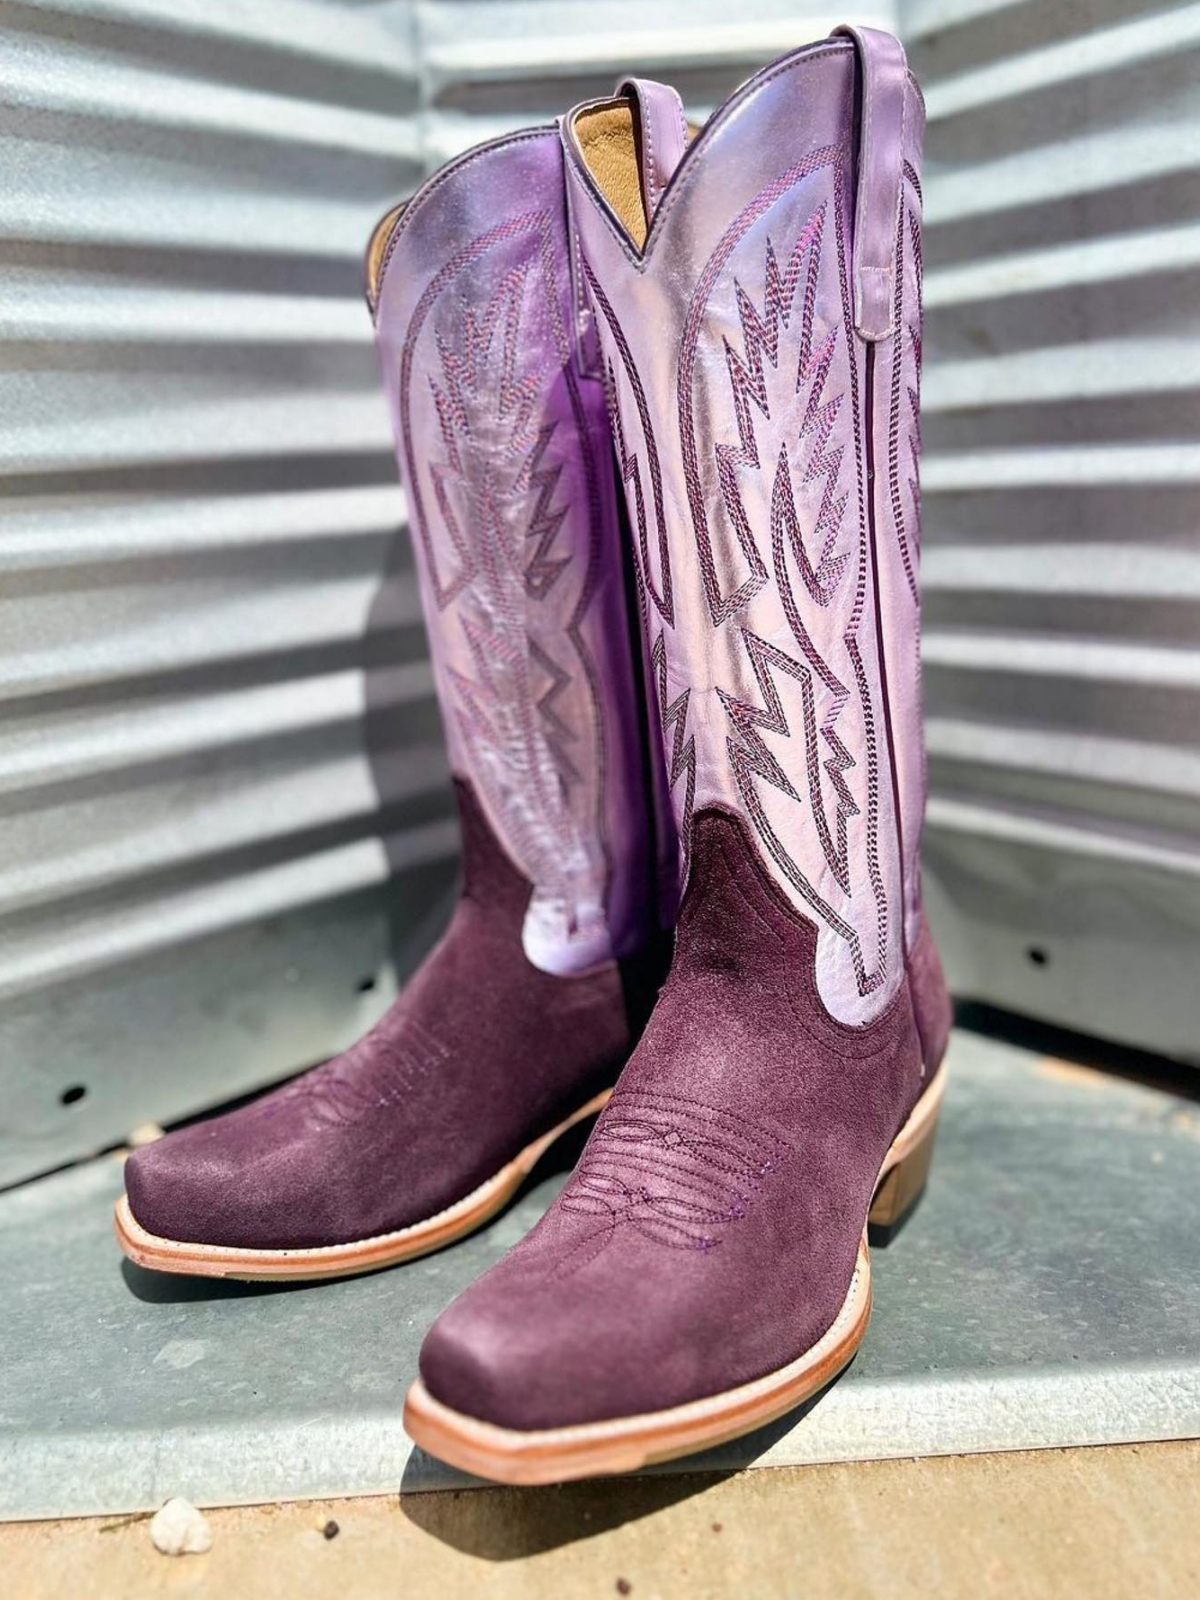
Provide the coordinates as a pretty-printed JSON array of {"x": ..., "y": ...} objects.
[{"x": 706, "y": 1268}]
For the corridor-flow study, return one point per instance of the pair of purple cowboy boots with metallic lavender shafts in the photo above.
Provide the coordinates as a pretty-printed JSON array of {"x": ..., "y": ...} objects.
[{"x": 657, "y": 410}]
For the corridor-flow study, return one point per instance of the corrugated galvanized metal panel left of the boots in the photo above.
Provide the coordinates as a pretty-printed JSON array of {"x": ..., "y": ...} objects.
[{"x": 223, "y": 818}]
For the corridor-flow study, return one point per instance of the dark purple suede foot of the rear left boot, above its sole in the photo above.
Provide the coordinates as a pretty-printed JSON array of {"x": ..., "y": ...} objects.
[{"x": 438, "y": 1098}]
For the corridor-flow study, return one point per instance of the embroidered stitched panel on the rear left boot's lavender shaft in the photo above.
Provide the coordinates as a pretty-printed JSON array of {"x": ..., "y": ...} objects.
[{"x": 494, "y": 366}]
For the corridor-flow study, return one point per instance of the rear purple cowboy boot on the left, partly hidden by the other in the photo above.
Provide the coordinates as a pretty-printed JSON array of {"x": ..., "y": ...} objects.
[{"x": 522, "y": 1017}]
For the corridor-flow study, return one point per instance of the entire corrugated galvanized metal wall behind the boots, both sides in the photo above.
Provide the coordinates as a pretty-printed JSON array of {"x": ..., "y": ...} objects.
[{"x": 217, "y": 729}]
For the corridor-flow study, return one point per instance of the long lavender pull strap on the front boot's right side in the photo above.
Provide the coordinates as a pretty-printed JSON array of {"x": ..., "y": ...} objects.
[{"x": 881, "y": 175}]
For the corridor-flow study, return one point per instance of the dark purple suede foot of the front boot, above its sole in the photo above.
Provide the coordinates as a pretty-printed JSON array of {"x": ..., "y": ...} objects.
[{"x": 711, "y": 1230}]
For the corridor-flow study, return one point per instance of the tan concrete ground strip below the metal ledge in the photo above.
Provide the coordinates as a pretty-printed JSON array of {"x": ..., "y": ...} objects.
[{"x": 1108, "y": 1524}]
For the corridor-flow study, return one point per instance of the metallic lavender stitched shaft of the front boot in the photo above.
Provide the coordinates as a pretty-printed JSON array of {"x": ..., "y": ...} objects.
[{"x": 782, "y": 382}]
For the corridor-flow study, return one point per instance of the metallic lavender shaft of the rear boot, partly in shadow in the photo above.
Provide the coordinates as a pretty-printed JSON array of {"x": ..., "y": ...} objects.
[{"x": 505, "y": 454}]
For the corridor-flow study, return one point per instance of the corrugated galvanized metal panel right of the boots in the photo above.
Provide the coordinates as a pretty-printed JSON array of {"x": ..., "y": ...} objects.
[{"x": 1062, "y": 546}]
